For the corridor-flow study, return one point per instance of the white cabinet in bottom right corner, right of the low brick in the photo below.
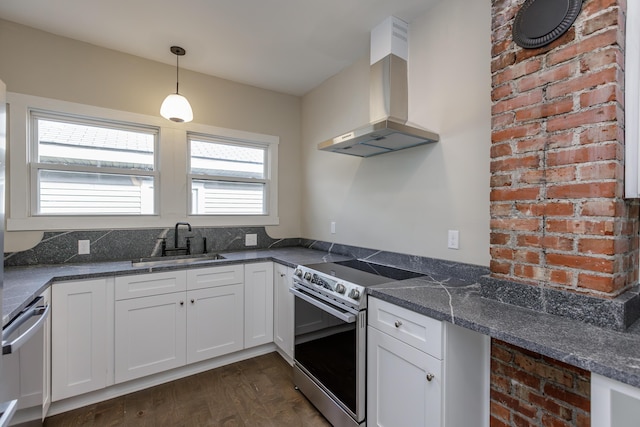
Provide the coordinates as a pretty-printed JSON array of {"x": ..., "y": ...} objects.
[{"x": 613, "y": 404}]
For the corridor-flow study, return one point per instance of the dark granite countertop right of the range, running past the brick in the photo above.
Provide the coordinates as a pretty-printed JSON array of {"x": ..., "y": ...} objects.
[{"x": 609, "y": 353}]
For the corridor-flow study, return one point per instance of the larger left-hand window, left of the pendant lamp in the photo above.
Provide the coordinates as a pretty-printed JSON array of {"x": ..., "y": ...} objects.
[{"x": 83, "y": 166}]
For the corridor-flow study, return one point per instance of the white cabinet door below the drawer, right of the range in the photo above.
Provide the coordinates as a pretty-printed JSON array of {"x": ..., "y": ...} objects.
[{"x": 404, "y": 384}]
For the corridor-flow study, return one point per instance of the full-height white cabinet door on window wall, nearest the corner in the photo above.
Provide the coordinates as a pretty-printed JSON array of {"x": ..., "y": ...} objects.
[{"x": 258, "y": 304}]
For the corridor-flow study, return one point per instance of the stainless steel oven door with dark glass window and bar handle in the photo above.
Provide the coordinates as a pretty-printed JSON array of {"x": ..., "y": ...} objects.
[{"x": 329, "y": 348}]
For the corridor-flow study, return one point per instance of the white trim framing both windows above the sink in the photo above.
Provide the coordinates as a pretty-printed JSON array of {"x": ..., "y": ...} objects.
[{"x": 172, "y": 168}]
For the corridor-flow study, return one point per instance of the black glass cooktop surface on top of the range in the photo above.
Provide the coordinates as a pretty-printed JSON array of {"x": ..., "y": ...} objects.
[{"x": 363, "y": 273}]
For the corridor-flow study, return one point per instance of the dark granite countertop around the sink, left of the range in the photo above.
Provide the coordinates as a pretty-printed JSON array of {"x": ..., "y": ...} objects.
[{"x": 23, "y": 284}]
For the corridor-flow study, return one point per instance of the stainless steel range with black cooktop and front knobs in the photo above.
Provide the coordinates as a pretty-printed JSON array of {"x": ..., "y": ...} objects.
[{"x": 330, "y": 335}]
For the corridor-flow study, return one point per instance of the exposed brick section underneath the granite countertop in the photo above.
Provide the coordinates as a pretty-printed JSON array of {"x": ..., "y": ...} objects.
[{"x": 532, "y": 390}]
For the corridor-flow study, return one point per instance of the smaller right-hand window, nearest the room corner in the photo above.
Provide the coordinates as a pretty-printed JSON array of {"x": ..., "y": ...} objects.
[{"x": 228, "y": 177}]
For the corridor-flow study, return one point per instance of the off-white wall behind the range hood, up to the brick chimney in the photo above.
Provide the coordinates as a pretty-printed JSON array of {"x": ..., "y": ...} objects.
[{"x": 406, "y": 201}]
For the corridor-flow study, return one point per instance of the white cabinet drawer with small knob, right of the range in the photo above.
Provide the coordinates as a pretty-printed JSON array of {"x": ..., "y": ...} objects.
[{"x": 408, "y": 326}]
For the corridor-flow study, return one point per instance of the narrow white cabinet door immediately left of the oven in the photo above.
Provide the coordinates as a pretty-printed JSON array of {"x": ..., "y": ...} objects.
[{"x": 283, "y": 309}]
